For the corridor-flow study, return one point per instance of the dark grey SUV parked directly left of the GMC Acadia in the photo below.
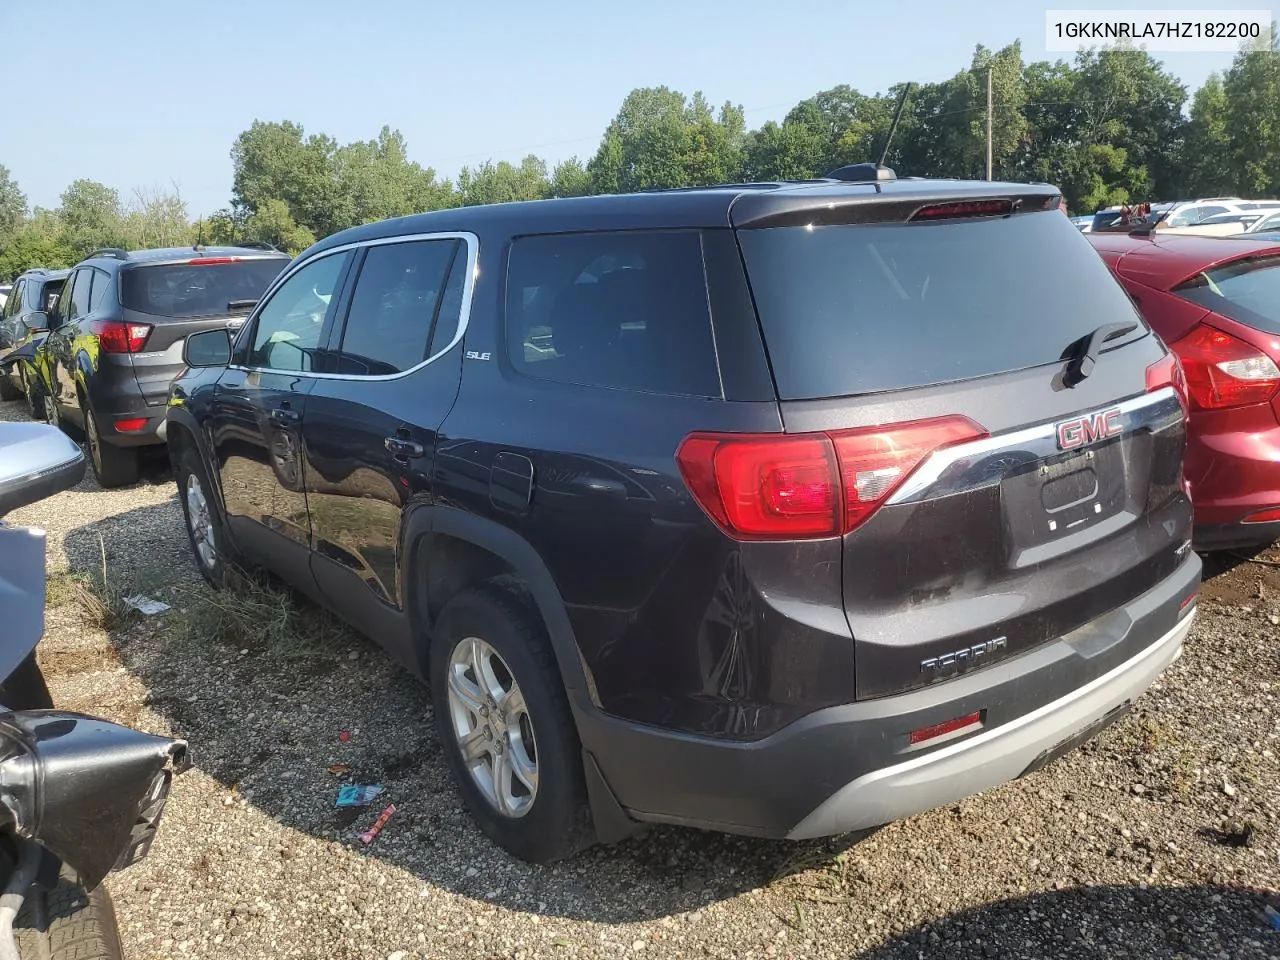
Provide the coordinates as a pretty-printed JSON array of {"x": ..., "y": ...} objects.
[{"x": 117, "y": 340}]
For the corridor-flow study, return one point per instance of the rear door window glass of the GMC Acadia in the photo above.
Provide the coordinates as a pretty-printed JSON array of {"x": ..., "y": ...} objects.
[{"x": 400, "y": 299}]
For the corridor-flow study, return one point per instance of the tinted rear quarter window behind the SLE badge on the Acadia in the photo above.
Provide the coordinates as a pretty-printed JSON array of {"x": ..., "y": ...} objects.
[{"x": 623, "y": 310}]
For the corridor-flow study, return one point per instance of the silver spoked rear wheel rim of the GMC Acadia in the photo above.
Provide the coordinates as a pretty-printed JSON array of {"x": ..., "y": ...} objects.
[{"x": 493, "y": 729}]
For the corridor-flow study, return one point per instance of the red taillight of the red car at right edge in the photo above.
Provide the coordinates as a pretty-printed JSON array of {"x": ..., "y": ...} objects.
[{"x": 1226, "y": 372}]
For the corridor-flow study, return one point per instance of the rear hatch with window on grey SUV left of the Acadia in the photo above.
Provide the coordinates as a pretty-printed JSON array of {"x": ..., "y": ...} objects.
[{"x": 179, "y": 299}]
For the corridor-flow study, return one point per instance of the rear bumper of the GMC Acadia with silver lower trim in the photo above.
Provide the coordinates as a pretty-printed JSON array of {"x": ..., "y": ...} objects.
[{"x": 854, "y": 767}]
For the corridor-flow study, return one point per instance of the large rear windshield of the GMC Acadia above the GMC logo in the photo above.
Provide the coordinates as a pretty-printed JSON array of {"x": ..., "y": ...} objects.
[{"x": 863, "y": 309}]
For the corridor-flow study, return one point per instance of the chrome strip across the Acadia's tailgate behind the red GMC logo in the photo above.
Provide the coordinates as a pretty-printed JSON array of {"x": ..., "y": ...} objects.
[{"x": 971, "y": 467}]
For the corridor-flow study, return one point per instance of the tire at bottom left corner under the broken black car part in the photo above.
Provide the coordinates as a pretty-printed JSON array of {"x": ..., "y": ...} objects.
[{"x": 67, "y": 924}]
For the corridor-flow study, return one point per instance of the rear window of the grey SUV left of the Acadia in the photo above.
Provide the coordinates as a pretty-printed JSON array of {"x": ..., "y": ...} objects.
[{"x": 199, "y": 290}]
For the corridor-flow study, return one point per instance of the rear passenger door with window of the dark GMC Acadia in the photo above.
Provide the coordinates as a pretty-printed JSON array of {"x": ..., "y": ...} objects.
[{"x": 372, "y": 426}]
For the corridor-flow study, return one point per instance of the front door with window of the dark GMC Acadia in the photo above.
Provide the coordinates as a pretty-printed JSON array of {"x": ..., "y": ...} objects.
[{"x": 257, "y": 417}]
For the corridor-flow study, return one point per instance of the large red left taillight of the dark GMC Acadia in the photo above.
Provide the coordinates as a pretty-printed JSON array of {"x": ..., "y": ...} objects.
[{"x": 784, "y": 487}]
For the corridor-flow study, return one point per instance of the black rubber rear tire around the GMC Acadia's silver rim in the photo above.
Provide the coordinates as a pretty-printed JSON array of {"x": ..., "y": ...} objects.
[{"x": 559, "y": 824}]
